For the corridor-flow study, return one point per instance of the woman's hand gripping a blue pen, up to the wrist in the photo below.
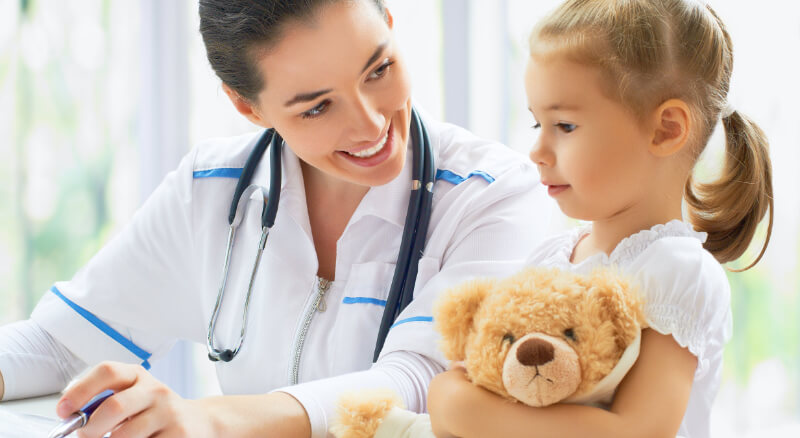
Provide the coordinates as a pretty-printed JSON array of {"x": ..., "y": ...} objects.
[{"x": 142, "y": 406}]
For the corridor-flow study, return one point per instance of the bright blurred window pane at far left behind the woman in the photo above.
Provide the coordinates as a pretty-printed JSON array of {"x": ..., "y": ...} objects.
[{"x": 68, "y": 160}]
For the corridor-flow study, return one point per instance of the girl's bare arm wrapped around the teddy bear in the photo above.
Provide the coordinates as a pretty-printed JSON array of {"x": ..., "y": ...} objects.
[{"x": 650, "y": 401}]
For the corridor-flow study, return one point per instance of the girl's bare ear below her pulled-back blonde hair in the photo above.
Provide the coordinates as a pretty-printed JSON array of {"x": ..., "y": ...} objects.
[{"x": 672, "y": 122}]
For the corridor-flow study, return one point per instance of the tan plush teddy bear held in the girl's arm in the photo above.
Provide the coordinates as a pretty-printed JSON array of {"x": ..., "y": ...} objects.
[{"x": 539, "y": 337}]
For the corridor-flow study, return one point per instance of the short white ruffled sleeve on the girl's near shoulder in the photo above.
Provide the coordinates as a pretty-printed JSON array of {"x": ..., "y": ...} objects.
[{"x": 687, "y": 295}]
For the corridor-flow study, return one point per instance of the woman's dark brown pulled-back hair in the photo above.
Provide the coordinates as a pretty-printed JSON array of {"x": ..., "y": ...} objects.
[{"x": 236, "y": 31}]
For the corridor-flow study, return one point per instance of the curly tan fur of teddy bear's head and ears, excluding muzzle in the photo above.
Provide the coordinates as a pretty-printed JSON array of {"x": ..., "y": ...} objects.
[{"x": 603, "y": 310}]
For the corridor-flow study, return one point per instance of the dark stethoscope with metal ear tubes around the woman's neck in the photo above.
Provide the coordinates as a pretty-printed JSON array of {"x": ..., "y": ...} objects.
[{"x": 412, "y": 244}]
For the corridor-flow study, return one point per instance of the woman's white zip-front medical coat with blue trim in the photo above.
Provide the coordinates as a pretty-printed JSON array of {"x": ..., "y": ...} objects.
[{"x": 157, "y": 281}]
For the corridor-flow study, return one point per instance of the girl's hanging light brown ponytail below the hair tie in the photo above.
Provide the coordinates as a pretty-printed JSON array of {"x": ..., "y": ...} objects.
[{"x": 730, "y": 209}]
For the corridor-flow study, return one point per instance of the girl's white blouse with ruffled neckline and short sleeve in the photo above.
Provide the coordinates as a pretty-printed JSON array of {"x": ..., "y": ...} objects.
[{"x": 686, "y": 295}]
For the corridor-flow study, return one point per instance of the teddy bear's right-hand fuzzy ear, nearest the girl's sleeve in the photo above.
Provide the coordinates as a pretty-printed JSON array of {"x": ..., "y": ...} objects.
[{"x": 621, "y": 302}]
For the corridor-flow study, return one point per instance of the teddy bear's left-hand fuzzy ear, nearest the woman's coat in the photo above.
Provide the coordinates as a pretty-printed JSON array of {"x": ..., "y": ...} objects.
[{"x": 454, "y": 315}]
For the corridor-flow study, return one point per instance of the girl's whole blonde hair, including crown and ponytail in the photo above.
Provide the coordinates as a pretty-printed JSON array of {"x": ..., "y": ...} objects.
[{"x": 649, "y": 51}]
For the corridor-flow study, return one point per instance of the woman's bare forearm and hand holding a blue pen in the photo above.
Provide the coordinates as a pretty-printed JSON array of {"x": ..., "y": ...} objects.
[{"x": 144, "y": 407}]
